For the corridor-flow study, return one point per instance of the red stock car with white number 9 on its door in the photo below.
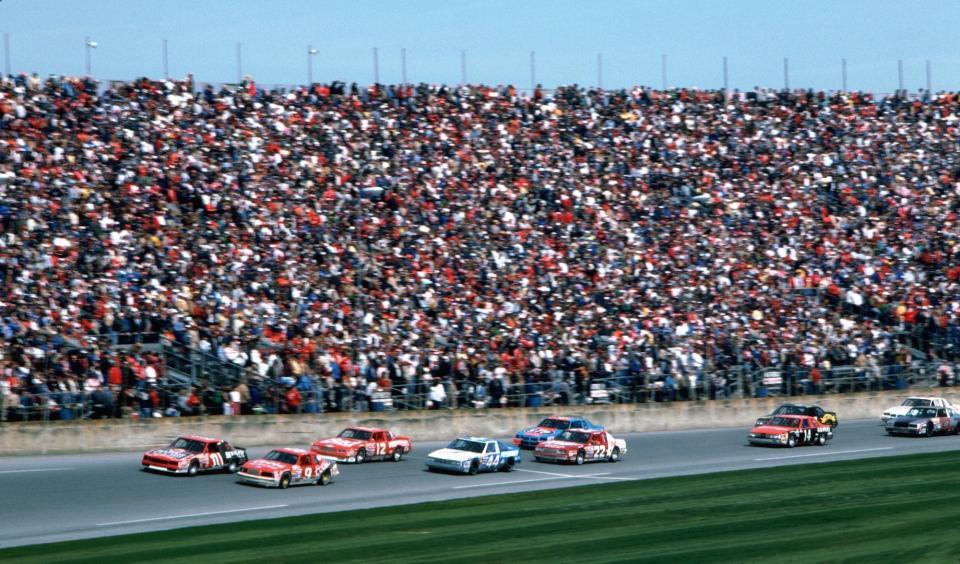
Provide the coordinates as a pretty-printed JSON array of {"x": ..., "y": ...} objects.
[{"x": 285, "y": 467}]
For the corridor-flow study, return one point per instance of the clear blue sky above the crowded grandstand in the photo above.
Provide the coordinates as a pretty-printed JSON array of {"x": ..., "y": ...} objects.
[{"x": 47, "y": 36}]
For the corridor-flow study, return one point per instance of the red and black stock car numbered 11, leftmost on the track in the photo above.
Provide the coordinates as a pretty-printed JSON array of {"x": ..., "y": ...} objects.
[{"x": 191, "y": 455}]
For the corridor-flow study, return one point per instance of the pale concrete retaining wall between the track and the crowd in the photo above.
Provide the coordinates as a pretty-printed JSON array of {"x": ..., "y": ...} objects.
[{"x": 300, "y": 430}]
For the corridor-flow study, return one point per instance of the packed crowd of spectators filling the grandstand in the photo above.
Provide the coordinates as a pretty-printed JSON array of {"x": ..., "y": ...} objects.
[{"x": 386, "y": 237}]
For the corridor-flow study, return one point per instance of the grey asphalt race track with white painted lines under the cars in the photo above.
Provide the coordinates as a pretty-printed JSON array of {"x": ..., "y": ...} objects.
[{"x": 52, "y": 498}]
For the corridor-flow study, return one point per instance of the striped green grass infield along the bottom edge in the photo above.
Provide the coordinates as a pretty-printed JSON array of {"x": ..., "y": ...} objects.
[{"x": 893, "y": 509}]
